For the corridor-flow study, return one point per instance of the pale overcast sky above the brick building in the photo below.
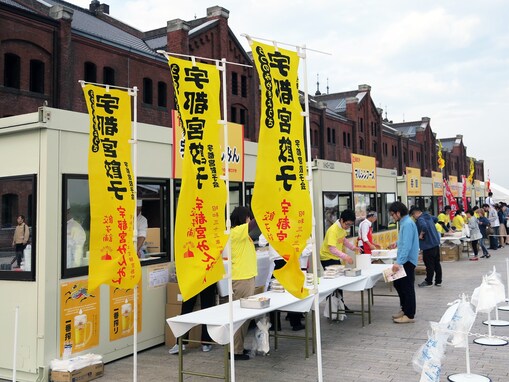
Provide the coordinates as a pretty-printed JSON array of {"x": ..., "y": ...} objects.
[{"x": 447, "y": 60}]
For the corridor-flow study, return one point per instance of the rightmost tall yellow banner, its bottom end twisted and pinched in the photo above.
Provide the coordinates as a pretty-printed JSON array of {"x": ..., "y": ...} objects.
[{"x": 281, "y": 201}]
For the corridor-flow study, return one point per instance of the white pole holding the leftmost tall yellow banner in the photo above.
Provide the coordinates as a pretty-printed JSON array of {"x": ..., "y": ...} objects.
[{"x": 134, "y": 151}]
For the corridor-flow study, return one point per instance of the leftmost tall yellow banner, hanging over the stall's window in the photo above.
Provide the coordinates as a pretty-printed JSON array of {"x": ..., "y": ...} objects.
[{"x": 113, "y": 258}]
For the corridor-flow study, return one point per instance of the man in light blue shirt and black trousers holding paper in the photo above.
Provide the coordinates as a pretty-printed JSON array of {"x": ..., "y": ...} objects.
[{"x": 408, "y": 252}]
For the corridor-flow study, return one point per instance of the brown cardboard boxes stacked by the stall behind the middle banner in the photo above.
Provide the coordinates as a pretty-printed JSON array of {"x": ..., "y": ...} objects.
[{"x": 174, "y": 308}]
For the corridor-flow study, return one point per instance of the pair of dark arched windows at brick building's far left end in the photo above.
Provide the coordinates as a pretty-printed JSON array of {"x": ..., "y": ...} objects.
[{"x": 13, "y": 71}]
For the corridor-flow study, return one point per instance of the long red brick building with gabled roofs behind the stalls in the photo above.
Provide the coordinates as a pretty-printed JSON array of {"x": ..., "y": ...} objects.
[{"x": 47, "y": 47}]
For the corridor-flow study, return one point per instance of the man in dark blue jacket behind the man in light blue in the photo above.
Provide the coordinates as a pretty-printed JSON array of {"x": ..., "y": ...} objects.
[{"x": 429, "y": 242}]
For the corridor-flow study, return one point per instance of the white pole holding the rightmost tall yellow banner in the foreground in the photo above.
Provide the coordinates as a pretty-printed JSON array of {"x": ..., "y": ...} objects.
[{"x": 302, "y": 54}]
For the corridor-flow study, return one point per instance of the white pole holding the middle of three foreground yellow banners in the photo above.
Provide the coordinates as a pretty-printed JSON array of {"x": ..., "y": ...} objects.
[{"x": 227, "y": 250}]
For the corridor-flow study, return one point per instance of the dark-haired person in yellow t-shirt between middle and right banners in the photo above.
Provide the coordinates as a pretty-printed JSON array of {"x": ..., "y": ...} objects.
[{"x": 244, "y": 268}]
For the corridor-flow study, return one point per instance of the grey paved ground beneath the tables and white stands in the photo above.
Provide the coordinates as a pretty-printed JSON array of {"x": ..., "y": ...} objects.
[{"x": 381, "y": 351}]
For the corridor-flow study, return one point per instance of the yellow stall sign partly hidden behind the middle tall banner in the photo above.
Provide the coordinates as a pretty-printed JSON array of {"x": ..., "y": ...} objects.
[{"x": 235, "y": 149}]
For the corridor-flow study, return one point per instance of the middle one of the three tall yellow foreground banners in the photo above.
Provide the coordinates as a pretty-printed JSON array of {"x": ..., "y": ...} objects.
[{"x": 200, "y": 224}]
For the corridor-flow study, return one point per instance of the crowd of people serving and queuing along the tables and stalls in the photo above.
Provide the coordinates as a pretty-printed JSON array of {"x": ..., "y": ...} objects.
[{"x": 418, "y": 231}]
